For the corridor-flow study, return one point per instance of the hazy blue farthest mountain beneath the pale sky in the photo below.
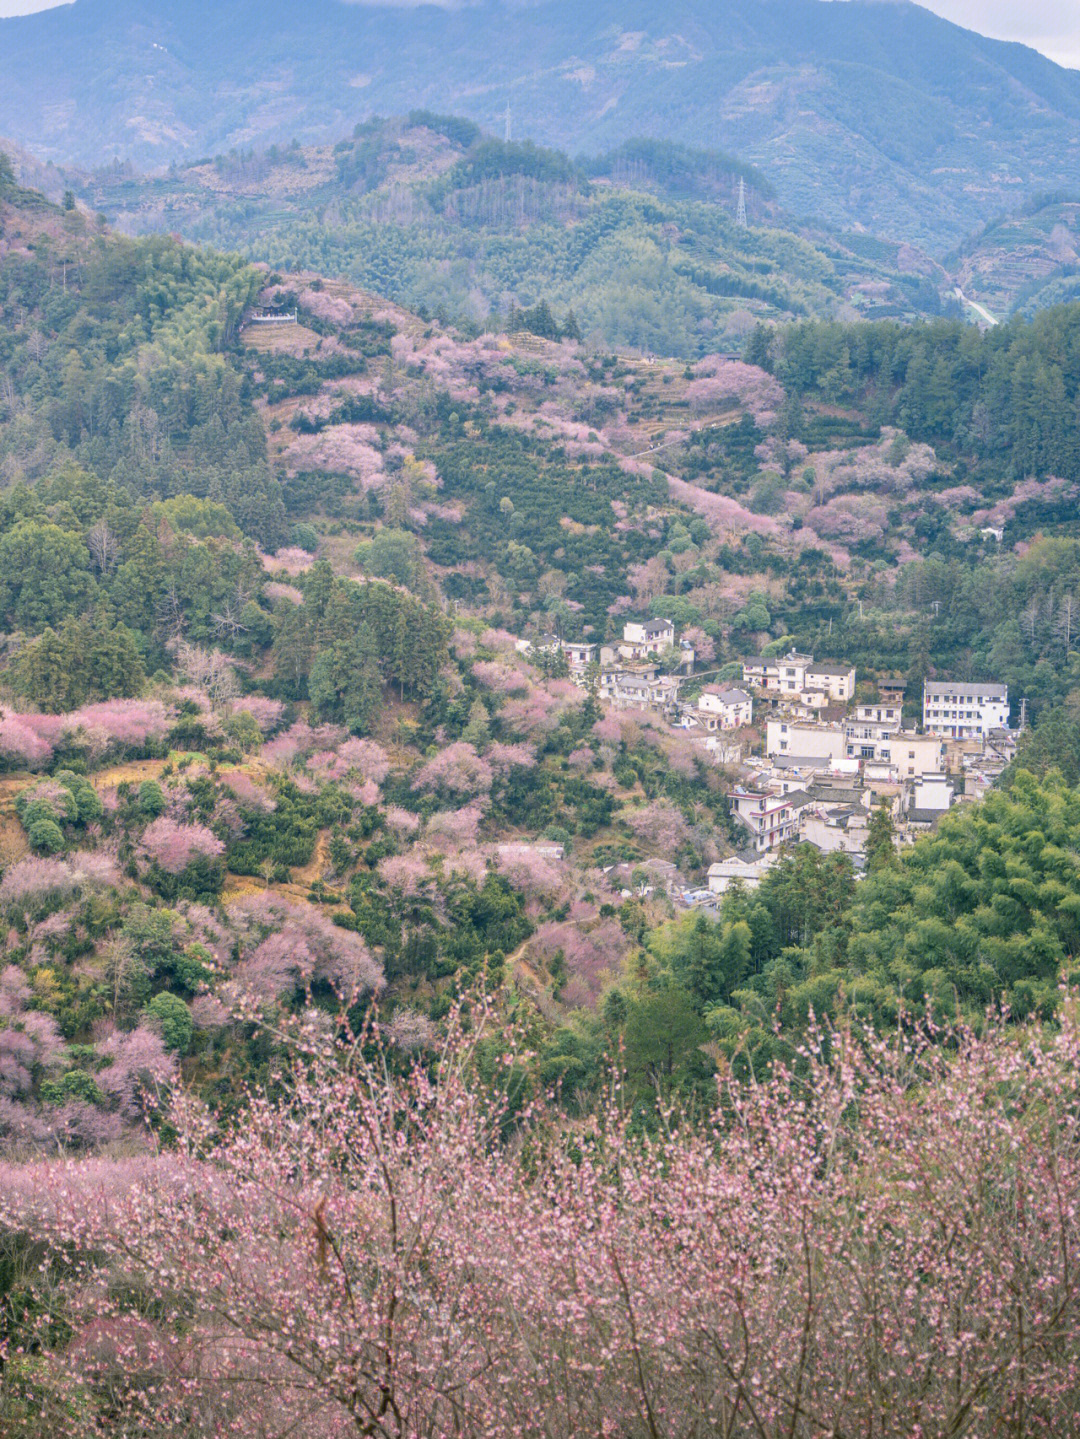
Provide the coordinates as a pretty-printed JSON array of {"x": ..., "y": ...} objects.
[{"x": 872, "y": 114}]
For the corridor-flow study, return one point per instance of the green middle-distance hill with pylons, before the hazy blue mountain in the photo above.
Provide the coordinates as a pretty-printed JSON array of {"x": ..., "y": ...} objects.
[{"x": 642, "y": 244}]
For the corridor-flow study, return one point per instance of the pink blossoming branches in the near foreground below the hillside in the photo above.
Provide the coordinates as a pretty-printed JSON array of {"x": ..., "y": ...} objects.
[{"x": 882, "y": 1243}]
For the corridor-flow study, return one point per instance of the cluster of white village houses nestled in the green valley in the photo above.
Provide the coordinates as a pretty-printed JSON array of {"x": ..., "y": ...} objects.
[{"x": 812, "y": 750}]
